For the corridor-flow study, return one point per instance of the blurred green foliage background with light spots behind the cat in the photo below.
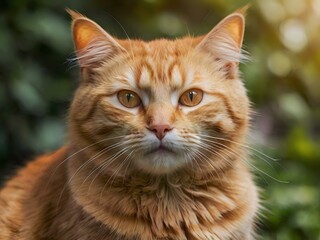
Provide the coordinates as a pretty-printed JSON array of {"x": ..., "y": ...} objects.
[{"x": 282, "y": 37}]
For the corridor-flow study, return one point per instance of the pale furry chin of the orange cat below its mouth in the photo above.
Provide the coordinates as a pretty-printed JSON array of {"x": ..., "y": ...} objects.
[{"x": 161, "y": 162}]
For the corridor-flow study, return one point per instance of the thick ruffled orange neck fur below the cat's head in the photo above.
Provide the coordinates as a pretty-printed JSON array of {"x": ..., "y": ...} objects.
[{"x": 175, "y": 206}]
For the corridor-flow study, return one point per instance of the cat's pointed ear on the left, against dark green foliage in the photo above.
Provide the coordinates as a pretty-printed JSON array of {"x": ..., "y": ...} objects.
[{"x": 92, "y": 44}]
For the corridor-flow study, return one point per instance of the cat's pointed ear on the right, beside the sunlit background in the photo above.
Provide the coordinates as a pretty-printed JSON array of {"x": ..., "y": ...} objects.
[{"x": 224, "y": 42}]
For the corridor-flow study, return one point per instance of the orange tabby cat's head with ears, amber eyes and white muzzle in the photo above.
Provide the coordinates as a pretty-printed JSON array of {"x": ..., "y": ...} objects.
[{"x": 159, "y": 106}]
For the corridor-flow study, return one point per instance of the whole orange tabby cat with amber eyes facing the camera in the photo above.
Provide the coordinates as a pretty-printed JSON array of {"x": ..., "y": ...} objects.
[{"x": 156, "y": 145}]
